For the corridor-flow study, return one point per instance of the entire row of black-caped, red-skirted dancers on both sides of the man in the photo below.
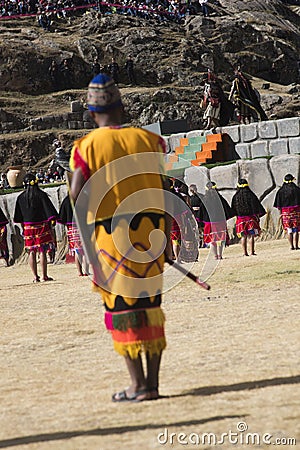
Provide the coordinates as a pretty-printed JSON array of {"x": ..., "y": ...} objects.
[{"x": 198, "y": 221}]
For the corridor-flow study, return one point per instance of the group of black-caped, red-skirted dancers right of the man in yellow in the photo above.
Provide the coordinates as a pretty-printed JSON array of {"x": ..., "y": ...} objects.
[{"x": 211, "y": 212}]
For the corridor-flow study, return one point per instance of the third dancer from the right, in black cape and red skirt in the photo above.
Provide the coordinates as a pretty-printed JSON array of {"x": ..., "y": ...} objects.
[{"x": 214, "y": 212}]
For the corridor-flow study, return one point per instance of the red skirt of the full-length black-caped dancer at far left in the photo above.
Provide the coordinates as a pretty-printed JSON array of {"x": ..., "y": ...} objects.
[{"x": 38, "y": 237}]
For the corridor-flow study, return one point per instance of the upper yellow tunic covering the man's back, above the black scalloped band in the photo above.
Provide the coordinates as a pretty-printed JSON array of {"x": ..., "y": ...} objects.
[{"x": 130, "y": 162}]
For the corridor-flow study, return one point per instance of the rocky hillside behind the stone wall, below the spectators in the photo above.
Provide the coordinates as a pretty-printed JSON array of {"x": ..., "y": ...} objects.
[{"x": 260, "y": 35}]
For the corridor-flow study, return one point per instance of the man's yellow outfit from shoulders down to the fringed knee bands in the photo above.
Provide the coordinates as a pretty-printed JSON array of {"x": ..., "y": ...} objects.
[{"x": 124, "y": 168}]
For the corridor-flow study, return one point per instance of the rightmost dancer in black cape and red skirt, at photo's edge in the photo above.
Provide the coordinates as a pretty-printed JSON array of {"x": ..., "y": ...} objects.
[{"x": 287, "y": 200}]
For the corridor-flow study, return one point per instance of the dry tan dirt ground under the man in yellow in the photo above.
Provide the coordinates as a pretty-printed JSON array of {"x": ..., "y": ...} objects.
[{"x": 232, "y": 361}]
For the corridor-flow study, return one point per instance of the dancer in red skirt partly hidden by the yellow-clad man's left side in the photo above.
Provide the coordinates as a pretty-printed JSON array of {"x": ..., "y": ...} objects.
[{"x": 75, "y": 245}]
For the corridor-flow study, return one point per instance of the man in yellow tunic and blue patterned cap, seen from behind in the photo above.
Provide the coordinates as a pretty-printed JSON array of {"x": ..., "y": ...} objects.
[{"x": 118, "y": 186}]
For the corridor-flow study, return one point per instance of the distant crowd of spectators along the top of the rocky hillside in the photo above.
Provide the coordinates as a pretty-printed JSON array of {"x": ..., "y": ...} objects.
[{"x": 48, "y": 10}]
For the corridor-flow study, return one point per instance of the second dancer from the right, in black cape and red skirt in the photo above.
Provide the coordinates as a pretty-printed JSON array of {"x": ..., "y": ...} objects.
[{"x": 248, "y": 210}]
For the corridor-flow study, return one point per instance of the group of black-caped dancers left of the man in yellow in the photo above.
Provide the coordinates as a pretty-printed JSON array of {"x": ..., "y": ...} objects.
[{"x": 38, "y": 217}]
